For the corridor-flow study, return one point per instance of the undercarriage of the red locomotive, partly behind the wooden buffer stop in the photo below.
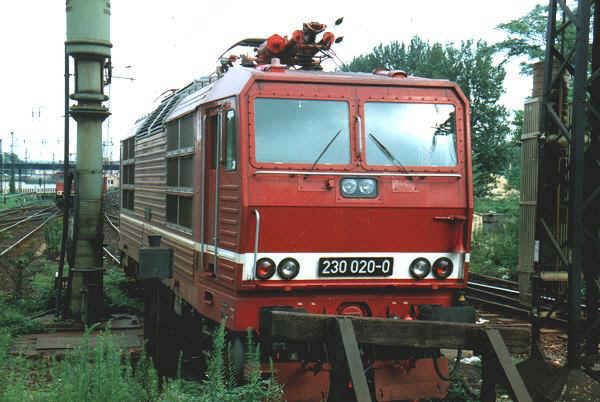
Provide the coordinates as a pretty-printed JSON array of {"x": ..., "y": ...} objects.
[{"x": 180, "y": 338}]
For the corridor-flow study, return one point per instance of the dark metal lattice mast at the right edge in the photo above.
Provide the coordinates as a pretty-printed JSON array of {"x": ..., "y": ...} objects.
[{"x": 568, "y": 202}]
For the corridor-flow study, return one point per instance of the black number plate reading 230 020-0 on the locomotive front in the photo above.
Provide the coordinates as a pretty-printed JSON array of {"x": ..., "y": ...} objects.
[{"x": 356, "y": 266}]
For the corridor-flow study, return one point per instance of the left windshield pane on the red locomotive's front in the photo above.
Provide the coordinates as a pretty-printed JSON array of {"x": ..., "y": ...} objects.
[{"x": 302, "y": 131}]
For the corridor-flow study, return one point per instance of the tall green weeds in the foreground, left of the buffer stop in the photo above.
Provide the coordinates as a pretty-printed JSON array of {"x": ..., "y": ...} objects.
[{"x": 99, "y": 370}]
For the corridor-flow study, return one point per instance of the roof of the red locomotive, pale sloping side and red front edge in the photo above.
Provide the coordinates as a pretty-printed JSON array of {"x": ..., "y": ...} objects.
[{"x": 208, "y": 89}]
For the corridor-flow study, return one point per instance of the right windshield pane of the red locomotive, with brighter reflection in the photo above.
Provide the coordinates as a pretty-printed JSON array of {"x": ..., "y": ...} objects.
[{"x": 407, "y": 134}]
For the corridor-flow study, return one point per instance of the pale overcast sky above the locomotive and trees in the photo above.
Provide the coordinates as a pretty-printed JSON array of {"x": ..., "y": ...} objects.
[{"x": 165, "y": 44}]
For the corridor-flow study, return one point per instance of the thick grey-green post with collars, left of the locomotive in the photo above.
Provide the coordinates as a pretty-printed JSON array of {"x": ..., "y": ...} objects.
[{"x": 88, "y": 42}]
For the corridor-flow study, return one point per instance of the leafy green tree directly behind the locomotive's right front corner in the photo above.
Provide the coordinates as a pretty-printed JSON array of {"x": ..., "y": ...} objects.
[{"x": 471, "y": 65}]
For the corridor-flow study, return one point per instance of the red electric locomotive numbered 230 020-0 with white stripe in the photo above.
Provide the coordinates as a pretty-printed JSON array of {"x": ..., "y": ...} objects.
[{"x": 324, "y": 192}]
